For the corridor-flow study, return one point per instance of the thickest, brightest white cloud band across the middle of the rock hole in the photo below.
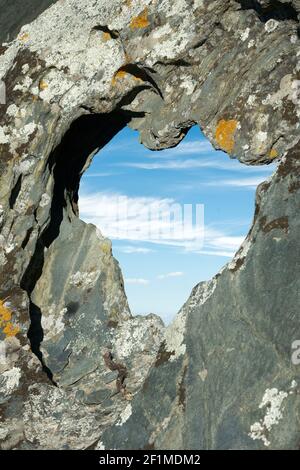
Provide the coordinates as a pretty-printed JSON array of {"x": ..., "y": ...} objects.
[{"x": 138, "y": 222}]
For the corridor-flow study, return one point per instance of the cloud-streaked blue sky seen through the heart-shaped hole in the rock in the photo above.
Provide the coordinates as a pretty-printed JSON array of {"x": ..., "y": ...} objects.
[{"x": 160, "y": 272}]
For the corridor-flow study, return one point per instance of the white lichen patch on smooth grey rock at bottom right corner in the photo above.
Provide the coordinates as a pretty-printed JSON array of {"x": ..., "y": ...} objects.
[{"x": 272, "y": 401}]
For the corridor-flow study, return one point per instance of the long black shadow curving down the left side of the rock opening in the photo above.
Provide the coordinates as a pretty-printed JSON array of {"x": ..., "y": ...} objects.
[{"x": 86, "y": 135}]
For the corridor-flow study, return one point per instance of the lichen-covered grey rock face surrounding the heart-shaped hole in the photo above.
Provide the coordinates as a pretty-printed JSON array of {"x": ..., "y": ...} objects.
[{"x": 77, "y": 370}]
